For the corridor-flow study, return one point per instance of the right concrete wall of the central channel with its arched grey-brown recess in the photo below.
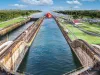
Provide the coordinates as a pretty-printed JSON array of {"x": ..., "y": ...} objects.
[{"x": 84, "y": 57}]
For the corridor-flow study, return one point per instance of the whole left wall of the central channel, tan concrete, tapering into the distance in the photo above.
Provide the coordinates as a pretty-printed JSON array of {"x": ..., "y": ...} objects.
[{"x": 15, "y": 54}]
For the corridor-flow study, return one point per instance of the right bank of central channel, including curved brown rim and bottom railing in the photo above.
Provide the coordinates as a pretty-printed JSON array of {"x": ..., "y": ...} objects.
[{"x": 84, "y": 51}]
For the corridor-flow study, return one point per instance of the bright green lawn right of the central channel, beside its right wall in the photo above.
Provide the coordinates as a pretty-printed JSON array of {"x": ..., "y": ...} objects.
[{"x": 75, "y": 32}]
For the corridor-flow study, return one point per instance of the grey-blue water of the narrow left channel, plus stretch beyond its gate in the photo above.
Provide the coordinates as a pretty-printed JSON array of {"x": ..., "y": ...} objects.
[{"x": 15, "y": 33}]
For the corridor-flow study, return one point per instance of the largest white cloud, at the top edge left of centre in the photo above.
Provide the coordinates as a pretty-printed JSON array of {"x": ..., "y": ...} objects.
[{"x": 38, "y": 2}]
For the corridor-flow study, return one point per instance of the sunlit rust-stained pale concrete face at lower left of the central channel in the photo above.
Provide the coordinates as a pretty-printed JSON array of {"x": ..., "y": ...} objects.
[{"x": 10, "y": 60}]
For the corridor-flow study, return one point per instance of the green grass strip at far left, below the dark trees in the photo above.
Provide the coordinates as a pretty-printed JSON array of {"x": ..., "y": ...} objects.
[{"x": 10, "y": 22}]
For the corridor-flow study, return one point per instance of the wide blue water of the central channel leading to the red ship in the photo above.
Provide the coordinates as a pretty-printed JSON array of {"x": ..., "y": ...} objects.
[{"x": 49, "y": 54}]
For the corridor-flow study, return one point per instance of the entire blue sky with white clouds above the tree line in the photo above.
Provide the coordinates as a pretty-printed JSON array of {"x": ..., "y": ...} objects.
[{"x": 48, "y": 5}]
